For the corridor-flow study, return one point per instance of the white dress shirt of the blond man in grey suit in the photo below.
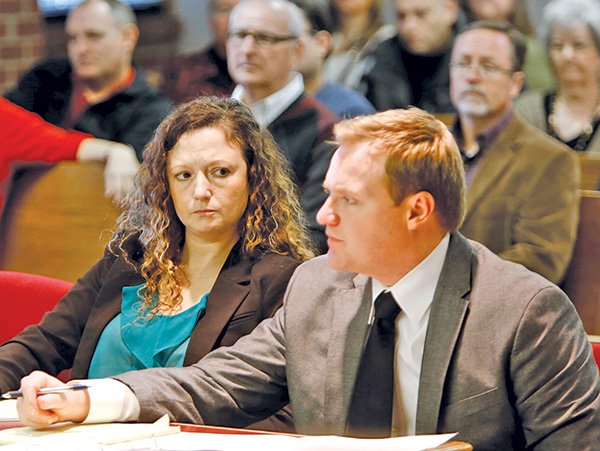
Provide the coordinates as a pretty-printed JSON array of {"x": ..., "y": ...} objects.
[{"x": 414, "y": 294}]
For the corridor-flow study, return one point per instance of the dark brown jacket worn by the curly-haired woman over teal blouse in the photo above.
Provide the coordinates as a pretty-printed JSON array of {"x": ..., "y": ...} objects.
[{"x": 244, "y": 294}]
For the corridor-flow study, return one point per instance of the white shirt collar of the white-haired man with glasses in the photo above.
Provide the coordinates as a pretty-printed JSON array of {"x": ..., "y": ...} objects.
[{"x": 270, "y": 108}]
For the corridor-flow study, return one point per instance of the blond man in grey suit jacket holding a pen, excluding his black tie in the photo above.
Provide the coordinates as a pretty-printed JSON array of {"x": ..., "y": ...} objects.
[{"x": 484, "y": 347}]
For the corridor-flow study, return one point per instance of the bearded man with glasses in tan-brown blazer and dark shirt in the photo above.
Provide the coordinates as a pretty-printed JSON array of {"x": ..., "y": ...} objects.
[{"x": 522, "y": 186}]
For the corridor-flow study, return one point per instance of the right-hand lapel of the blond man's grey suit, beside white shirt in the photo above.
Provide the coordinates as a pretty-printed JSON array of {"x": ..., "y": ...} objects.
[{"x": 448, "y": 310}]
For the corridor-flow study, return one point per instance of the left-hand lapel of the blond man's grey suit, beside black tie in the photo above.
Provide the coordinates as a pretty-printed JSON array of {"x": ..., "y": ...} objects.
[{"x": 349, "y": 329}]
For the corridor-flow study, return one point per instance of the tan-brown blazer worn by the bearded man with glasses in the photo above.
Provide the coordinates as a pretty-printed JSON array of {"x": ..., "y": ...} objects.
[{"x": 523, "y": 203}]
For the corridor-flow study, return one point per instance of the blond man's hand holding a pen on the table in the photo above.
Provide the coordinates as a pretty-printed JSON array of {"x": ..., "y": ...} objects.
[{"x": 42, "y": 411}]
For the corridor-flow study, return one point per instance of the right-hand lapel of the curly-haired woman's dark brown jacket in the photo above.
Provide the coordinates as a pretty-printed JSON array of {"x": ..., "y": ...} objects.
[{"x": 230, "y": 289}]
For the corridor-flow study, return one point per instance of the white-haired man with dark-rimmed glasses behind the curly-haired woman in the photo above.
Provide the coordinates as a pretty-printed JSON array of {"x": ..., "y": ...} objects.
[{"x": 263, "y": 50}]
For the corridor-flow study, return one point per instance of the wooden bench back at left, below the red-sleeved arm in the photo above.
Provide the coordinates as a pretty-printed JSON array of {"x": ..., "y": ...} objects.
[{"x": 56, "y": 220}]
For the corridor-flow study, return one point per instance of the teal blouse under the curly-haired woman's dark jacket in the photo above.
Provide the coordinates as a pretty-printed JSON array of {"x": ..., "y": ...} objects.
[{"x": 130, "y": 342}]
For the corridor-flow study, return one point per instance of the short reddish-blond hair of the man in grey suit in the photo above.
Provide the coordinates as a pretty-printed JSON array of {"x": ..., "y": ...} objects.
[{"x": 421, "y": 153}]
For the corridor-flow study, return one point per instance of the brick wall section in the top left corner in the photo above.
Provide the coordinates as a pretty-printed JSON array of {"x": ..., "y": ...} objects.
[{"x": 21, "y": 39}]
